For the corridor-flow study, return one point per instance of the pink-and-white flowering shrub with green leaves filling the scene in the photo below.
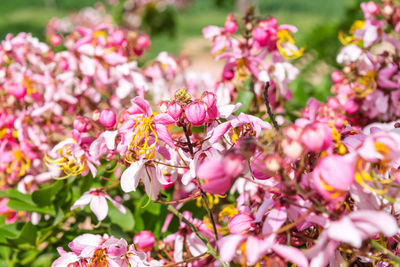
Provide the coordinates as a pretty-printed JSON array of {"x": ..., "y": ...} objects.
[{"x": 198, "y": 171}]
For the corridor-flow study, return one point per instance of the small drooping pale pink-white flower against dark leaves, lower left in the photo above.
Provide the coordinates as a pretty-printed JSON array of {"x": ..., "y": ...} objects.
[{"x": 98, "y": 204}]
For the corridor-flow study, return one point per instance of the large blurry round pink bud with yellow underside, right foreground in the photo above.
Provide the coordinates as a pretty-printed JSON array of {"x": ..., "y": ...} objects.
[{"x": 333, "y": 173}]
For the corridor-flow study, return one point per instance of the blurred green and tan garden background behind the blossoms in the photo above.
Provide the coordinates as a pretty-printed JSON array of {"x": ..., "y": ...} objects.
[{"x": 177, "y": 28}]
